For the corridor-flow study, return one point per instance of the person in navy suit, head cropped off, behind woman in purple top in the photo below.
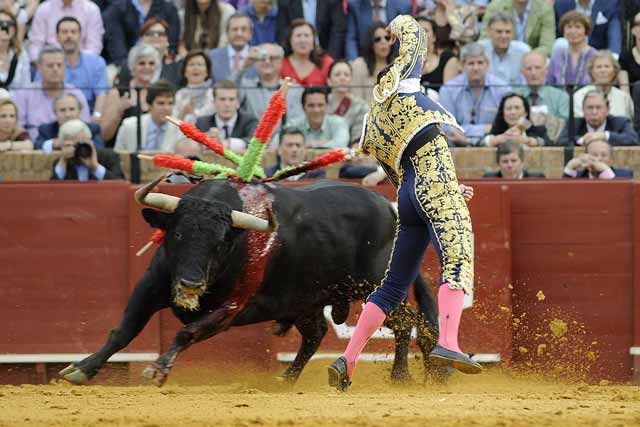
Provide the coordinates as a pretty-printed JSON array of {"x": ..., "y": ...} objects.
[{"x": 605, "y": 19}]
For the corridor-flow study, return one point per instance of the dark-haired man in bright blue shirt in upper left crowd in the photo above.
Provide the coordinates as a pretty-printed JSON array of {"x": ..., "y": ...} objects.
[{"x": 84, "y": 70}]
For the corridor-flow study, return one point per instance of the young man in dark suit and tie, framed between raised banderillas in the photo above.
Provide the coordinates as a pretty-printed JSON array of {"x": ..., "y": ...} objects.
[{"x": 228, "y": 125}]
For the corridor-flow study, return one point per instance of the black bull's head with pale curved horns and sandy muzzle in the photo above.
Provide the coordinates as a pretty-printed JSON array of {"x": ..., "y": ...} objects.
[{"x": 199, "y": 238}]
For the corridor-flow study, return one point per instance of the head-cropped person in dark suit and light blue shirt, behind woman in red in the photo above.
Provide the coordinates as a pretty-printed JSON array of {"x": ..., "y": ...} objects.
[{"x": 328, "y": 17}]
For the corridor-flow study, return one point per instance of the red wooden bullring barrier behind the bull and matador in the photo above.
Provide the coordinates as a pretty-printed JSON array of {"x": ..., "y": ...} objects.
[{"x": 565, "y": 249}]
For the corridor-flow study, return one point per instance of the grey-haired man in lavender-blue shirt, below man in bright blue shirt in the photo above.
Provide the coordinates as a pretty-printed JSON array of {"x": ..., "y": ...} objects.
[{"x": 35, "y": 102}]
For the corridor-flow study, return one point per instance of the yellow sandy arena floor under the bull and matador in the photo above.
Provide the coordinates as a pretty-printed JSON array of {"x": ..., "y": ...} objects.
[{"x": 490, "y": 399}]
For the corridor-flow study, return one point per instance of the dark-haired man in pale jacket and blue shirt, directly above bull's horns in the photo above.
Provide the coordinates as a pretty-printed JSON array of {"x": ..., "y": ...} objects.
[{"x": 156, "y": 133}]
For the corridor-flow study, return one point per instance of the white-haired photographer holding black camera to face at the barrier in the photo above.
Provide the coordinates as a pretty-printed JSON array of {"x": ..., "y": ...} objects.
[{"x": 80, "y": 160}]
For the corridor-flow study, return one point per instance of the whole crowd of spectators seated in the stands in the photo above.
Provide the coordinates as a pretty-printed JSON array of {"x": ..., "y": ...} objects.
[{"x": 91, "y": 78}]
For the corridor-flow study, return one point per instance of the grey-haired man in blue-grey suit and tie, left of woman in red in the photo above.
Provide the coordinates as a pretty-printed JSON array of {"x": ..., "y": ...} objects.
[{"x": 232, "y": 59}]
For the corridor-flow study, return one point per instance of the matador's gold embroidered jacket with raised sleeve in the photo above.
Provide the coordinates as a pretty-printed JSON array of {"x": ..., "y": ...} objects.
[{"x": 395, "y": 117}]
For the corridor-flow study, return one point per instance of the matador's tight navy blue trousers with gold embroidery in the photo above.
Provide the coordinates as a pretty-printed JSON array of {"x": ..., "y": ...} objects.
[{"x": 431, "y": 208}]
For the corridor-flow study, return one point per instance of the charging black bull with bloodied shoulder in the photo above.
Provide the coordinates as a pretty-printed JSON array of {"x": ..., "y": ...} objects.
[{"x": 332, "y": 247}]
